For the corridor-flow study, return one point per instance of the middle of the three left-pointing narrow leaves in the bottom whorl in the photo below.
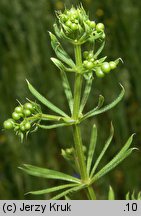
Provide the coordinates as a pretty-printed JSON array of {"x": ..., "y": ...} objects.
[{"x": 50, "y": 190}]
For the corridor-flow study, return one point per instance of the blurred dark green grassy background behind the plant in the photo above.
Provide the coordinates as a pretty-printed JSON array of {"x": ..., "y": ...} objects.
[{"x": 25, "y": 52}]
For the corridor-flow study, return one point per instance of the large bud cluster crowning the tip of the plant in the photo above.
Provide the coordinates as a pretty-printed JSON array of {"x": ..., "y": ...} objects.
[{"x": 76, "y": 26}]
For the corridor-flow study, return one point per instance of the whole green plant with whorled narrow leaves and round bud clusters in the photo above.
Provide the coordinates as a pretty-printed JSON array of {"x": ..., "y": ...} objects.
[{"x": 75, "y": 27}]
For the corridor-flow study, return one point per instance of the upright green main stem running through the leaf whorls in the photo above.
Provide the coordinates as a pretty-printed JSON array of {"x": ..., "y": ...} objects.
[{"x": 76, "y": 128}]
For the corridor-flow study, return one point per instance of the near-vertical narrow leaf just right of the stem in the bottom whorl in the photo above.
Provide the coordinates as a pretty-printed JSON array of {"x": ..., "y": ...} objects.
[{"x": 91, "y": 148}]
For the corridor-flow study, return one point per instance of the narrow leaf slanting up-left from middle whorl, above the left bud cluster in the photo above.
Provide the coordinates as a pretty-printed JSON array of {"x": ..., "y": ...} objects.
[{"x": 44, "y": 101}]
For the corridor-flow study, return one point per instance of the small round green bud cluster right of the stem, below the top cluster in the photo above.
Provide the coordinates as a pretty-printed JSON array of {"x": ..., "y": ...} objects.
[{"x": 100, "y": 67}]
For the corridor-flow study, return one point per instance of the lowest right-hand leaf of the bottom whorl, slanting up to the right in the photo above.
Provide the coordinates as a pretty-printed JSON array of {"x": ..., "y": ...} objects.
[{"x": 111, "y": 165}]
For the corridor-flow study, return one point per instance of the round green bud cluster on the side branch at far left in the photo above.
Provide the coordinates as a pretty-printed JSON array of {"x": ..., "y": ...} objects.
[{"x": 21, "y": 121}]
